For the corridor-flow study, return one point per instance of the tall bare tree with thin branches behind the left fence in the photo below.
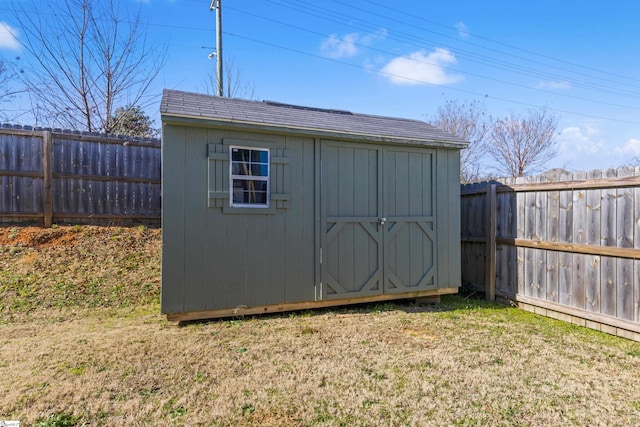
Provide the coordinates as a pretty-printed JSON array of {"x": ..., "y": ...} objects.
[{"x": 87, "y": 58}]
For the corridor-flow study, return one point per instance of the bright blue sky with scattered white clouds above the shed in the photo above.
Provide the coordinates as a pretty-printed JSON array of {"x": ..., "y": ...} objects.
[{"x": 407, "y": 58}]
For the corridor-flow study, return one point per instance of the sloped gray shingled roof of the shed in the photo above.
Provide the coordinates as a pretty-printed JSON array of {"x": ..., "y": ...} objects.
[{"x": 299, "y": 119}]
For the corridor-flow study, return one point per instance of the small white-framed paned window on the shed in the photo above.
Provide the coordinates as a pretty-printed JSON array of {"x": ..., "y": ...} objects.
[{"x": 249, "y": 174}]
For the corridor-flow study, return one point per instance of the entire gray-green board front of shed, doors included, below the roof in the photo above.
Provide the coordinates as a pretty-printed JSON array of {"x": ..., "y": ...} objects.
[{"x": 324, "y": 236}]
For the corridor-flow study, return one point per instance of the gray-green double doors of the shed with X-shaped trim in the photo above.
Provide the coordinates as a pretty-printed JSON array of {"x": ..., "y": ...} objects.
[{"x": 377, "y": 220}]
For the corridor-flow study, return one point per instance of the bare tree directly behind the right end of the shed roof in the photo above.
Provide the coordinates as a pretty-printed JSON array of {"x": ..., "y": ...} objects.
[{"x": 466, "y": 121}]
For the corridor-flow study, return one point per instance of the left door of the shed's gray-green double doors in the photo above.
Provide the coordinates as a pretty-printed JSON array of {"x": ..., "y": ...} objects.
[{"x": 351, "y": 245}]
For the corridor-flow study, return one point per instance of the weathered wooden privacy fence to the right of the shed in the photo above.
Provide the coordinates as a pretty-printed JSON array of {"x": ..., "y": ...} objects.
[{"x": 563, "y": 245}]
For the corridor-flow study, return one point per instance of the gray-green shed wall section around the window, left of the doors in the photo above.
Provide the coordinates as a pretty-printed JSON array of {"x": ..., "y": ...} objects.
[{"x": 215, "y": 259}]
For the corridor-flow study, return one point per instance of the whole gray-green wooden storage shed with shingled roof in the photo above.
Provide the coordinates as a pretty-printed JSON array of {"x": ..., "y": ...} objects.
[{"x": 272, "y": 207}]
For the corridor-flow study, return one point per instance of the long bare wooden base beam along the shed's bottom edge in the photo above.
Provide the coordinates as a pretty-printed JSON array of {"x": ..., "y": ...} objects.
[{"x": 277, "y": 308}]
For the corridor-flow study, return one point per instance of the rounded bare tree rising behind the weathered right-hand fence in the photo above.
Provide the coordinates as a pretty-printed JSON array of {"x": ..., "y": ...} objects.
[{"x": 523, "y": 145}]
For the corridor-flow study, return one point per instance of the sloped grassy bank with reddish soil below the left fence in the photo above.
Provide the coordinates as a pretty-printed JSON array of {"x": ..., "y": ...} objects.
[{"x": 77, "y": 266}]
